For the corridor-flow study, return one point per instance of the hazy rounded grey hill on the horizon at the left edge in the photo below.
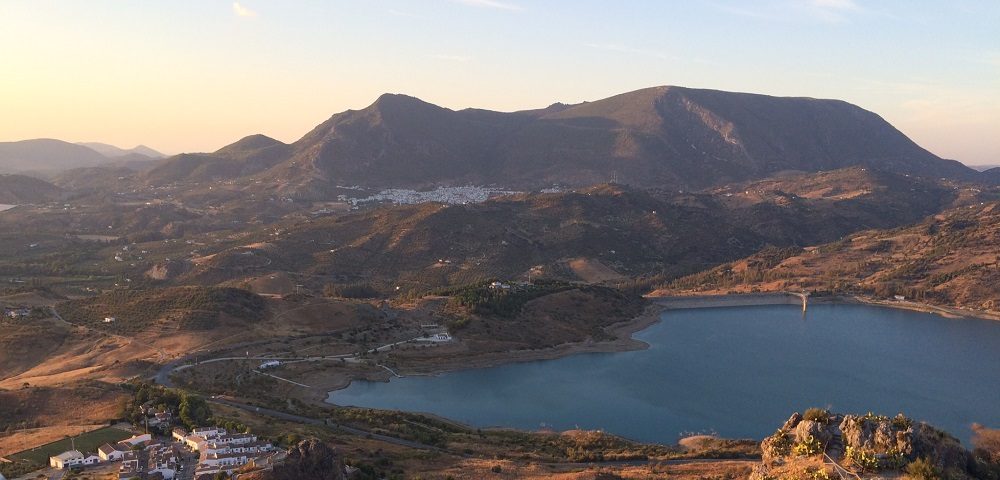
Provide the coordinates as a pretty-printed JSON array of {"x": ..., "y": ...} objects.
[{"x": 46, "y": 155}]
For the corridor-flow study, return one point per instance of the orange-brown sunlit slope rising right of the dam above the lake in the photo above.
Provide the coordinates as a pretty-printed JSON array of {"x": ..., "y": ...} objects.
[{"x": 951, "y": 259}]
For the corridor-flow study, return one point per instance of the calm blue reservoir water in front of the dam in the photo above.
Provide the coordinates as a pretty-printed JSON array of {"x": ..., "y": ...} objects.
[{"x": 738, "y": 372}]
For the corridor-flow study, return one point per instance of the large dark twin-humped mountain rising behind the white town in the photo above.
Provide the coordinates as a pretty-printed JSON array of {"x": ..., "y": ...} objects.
[{"x": 662, "y": 136}]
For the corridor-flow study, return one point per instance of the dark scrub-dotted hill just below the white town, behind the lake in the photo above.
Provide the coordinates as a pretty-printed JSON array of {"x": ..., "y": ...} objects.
[{"x": 627, "y": 231}]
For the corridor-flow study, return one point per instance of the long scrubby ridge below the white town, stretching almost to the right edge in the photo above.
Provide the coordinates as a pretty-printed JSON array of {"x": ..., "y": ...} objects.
[{"x": 603, "y": 234}]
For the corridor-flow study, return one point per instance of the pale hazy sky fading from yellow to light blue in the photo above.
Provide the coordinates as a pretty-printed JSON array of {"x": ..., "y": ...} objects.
[{"x": 194, "y": 75}]
